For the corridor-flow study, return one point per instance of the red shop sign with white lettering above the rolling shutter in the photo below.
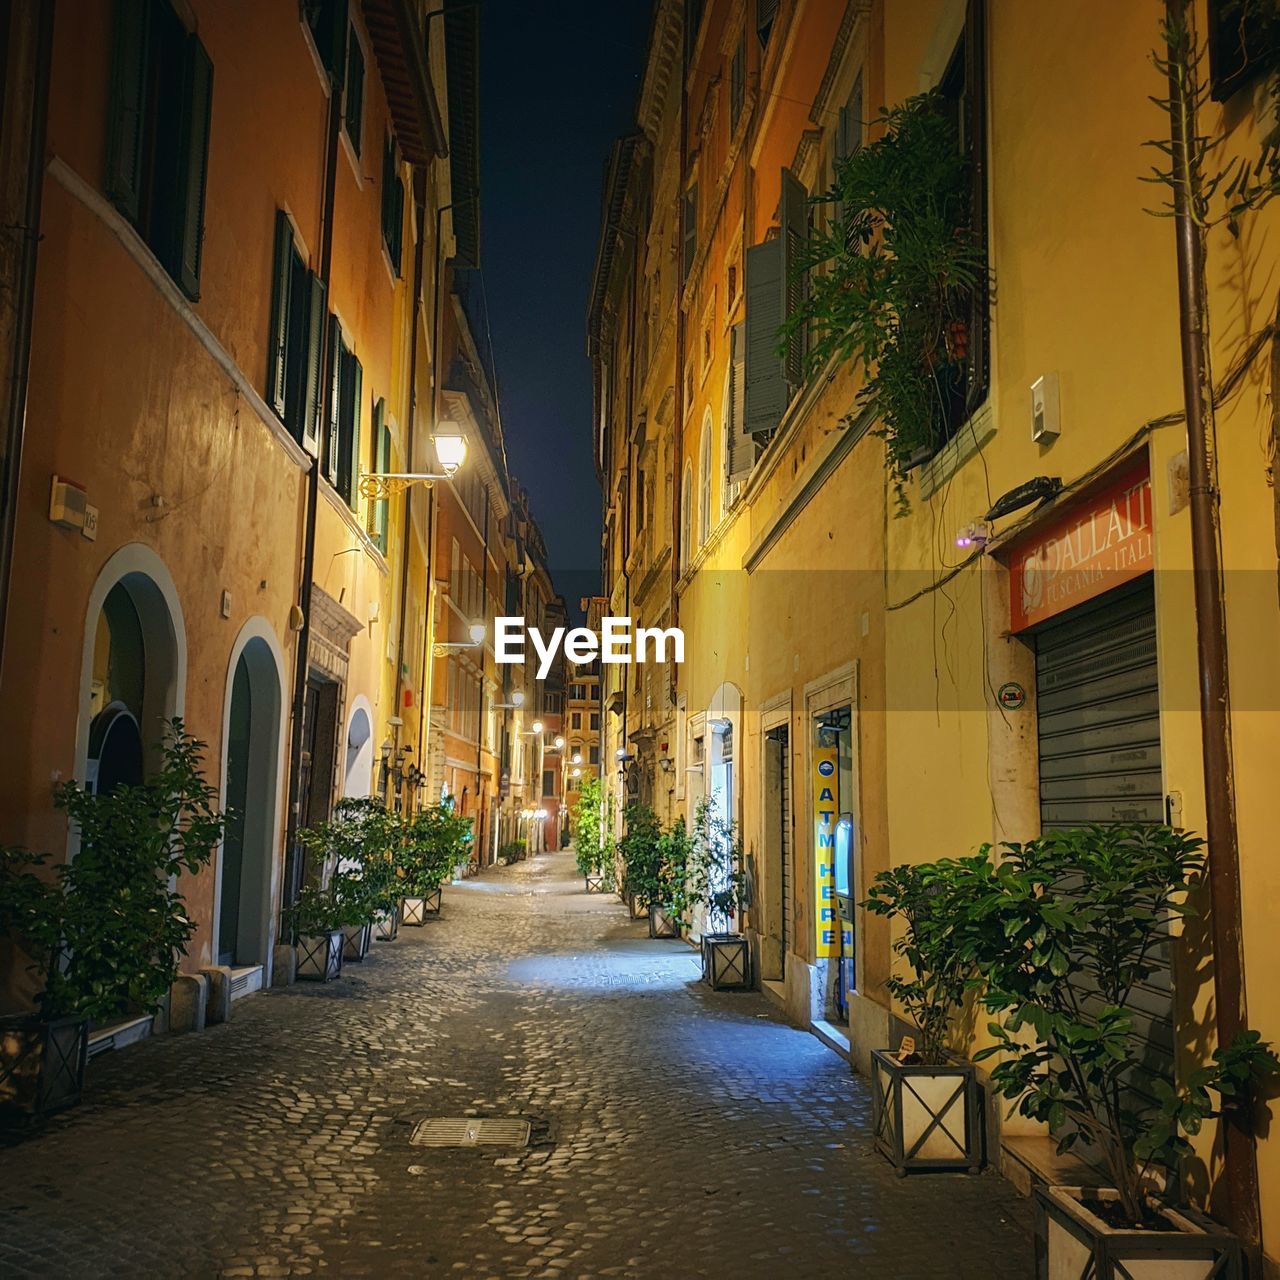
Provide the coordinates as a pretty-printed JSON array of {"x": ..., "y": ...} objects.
[{"x": 1084, "y": 552}]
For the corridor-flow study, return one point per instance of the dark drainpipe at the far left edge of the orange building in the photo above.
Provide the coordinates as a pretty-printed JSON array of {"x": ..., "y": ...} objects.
[{"x": 42, "y": 33}]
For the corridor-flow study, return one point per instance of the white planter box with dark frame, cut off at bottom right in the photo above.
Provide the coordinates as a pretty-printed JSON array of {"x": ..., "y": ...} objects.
[{"x": 1073, "y": 1244}]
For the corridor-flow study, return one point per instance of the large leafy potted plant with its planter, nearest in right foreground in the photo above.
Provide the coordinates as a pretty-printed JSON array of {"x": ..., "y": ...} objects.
[{"x": 1064, "y": 930}]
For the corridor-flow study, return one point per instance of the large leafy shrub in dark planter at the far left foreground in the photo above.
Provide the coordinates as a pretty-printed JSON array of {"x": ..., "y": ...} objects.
[{"x": 104, "y": 932}]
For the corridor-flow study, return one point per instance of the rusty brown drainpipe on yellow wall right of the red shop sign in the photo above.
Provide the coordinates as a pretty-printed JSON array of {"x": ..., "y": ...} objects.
[{"x": 1241, "y": 1169}]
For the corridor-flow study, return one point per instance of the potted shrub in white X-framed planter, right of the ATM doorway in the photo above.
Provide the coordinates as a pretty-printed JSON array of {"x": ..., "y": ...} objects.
[{"x": 926, "y": 1105}]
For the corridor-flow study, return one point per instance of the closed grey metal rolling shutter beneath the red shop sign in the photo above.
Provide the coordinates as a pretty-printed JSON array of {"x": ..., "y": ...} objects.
[{"x": 1099, "y": 715}]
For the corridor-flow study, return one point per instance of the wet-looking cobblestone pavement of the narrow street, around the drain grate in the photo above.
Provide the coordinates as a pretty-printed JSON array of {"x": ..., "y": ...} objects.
[{"x": 678, "y": 1132}]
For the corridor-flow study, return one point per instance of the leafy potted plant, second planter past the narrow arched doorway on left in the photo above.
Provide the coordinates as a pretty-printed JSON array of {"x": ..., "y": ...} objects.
[{"x": 358, "y": 851}]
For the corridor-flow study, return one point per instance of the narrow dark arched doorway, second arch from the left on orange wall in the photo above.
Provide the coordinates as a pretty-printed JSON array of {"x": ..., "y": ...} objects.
[{"x": 253, "y": 770}]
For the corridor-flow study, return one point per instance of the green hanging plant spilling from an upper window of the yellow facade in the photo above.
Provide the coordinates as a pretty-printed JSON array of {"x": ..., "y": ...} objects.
[{"x": 892, "y": 277}]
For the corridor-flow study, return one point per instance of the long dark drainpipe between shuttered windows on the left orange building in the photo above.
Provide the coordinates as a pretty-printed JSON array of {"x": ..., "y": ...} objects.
[{"x": 295, "y": 860}]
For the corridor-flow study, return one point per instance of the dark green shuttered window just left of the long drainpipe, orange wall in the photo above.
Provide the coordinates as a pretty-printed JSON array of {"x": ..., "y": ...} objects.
[{"x": 296, "y": 340}]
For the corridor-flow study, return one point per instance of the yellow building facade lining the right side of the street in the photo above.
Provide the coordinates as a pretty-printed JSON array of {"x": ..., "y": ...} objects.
[{"x": 973, "y": 669}]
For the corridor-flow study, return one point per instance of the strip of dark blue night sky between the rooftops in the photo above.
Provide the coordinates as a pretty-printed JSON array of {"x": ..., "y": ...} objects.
[{"x": 559, "y": 84}]
